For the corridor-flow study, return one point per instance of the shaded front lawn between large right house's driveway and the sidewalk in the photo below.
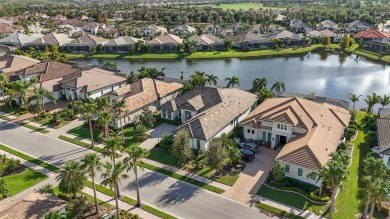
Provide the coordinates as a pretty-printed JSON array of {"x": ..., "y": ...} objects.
[{"x": 291, "y": 199}]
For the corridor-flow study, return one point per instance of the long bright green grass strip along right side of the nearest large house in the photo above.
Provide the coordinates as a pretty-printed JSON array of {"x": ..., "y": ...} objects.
[{"x": 350, "y": 200}]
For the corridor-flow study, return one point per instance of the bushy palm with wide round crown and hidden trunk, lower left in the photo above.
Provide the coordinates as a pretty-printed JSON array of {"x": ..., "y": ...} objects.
[{"x": 72, "y": 178}]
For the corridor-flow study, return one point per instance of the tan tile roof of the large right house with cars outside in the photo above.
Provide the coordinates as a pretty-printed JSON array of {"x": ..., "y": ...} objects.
[{"x": 324, "y": 124}]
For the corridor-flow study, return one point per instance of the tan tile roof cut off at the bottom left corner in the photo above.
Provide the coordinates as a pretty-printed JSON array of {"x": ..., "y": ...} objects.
[{"x": 33, "y": 206}]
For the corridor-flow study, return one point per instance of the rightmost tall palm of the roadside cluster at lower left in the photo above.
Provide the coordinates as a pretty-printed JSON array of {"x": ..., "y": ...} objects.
[{"x": 134, "y": 161}]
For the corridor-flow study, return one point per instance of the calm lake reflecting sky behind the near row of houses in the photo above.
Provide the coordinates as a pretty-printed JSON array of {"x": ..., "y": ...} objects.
[{"x": 328, "y": 75}]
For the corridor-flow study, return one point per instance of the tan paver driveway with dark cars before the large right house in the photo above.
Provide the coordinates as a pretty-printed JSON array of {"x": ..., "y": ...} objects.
[{"x": 254, "y": 174}]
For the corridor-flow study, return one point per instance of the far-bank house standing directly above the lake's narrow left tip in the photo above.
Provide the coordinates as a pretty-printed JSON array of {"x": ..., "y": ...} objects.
[{"x": 85, "y": 43}]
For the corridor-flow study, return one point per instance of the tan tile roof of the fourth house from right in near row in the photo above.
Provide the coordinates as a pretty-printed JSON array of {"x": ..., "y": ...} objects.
[{"x": 91, "y": 79}]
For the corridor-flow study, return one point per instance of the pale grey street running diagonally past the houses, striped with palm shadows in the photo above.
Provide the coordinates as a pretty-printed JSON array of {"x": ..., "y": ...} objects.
[{"x": 173, "y": 196}]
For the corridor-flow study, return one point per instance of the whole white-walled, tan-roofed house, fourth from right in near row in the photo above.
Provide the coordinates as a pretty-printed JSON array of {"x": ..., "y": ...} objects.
[{"x": 90, "y": 83}]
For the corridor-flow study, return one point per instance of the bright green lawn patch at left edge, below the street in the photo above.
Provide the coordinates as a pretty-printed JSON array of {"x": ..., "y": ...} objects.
[{"x": 24, "y": 180}]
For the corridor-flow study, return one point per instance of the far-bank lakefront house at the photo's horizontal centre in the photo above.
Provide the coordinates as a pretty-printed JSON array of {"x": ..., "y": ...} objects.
[{"x": 206, "y": 42}]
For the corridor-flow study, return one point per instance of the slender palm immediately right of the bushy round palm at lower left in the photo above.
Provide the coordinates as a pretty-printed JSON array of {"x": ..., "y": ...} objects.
[{"x": 90, "y": 163}]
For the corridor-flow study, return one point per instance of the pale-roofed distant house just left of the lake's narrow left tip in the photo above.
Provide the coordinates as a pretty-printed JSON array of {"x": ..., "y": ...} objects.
[{"x": 51, "y": 39}]
